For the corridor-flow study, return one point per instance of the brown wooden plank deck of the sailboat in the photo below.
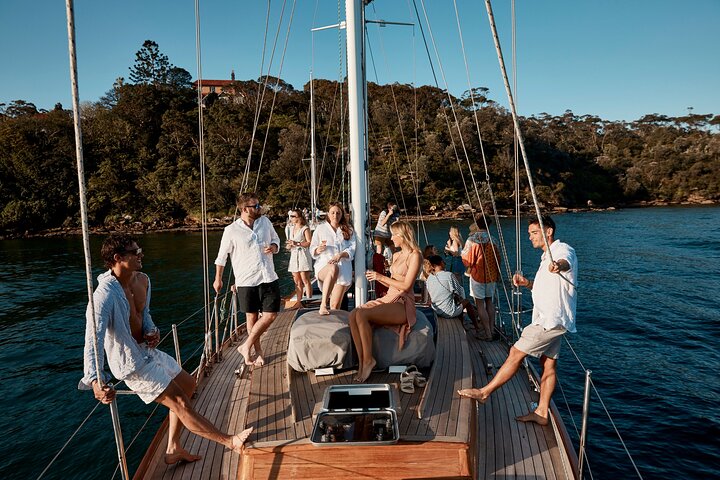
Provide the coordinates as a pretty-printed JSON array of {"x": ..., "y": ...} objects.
[{"x": 434, "y": 421}]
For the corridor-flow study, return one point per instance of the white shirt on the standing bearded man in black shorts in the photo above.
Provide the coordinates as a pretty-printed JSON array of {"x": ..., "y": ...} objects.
[{"x": 245, "y": 246}]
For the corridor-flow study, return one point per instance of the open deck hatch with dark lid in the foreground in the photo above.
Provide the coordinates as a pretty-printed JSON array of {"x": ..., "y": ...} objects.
[{"x": 357, "y": 415}]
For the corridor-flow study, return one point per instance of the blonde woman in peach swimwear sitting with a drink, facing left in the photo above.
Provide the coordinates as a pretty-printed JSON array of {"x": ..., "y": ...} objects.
[{"x": 396, "y": 309}]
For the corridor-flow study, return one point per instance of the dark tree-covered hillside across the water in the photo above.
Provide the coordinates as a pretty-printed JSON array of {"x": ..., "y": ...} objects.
[{"x": 142, "y": 159}]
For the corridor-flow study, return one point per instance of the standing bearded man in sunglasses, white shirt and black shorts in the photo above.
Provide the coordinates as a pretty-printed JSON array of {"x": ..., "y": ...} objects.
[{"x": 251, "y": 242}]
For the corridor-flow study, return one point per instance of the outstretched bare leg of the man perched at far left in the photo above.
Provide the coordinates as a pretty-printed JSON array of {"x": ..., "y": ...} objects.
[{"x": 179, "y": 403}]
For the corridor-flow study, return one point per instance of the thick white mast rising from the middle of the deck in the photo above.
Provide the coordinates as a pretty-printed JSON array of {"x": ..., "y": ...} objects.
[{"x": 357, "y": 101}]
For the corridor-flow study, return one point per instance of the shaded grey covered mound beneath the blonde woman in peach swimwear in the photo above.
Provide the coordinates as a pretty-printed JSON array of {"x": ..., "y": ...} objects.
[{"x": 419, "y": 347}]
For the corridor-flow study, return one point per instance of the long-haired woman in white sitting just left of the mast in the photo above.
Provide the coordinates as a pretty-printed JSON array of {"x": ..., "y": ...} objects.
[{"x": 333, "y": 248}]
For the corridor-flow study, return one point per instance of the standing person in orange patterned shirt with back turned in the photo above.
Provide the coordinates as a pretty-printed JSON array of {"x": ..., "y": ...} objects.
[{"x": 480, "y": 257}]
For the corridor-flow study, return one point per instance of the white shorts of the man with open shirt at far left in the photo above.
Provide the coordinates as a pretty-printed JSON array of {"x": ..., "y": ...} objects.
[{"x": 153, "y": 378}]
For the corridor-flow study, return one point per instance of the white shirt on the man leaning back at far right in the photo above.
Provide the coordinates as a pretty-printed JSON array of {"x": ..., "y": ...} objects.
[{"x": 554, "y": 299}]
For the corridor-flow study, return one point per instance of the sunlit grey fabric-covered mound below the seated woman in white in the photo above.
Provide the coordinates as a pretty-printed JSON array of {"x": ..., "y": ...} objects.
[{"x": 319, "y": 341}]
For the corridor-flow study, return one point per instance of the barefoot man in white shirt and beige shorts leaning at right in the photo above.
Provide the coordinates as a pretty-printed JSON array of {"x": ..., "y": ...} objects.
[{"x": 554, "y": 295}]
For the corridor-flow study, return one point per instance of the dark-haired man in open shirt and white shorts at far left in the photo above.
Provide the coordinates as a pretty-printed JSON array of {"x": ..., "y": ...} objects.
[{"x": 126, "y": 334}]
